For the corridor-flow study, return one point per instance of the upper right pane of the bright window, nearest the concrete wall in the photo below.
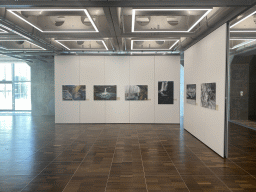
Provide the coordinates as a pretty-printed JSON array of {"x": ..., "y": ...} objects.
[{"x": 22, "y": 72}]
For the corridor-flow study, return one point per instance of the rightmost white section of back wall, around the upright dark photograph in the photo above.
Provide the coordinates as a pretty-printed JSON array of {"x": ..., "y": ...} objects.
[{"x": 166, "y": 69}]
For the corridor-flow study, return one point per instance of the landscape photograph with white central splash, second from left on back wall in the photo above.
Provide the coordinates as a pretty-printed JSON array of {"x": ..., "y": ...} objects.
[{"x": 104, "y": 92}]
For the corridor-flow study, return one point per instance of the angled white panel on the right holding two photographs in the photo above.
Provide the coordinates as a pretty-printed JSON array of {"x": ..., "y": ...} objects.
[{"x": 205, "y": 62}]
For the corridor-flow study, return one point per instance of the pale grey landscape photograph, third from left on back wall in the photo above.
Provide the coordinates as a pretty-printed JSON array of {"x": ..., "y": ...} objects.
[{"x": 136, "y": 92}]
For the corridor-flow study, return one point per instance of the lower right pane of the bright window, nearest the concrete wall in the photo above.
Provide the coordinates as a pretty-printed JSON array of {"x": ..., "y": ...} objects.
[{"x": 23, "y": 96}]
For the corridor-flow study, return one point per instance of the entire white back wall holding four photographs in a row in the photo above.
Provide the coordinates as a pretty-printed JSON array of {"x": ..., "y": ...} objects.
[{"x": 119, "y": 71}]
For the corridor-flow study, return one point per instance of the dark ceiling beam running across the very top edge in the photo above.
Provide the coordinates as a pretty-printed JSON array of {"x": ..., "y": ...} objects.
[{"x": 124, "y": 3}]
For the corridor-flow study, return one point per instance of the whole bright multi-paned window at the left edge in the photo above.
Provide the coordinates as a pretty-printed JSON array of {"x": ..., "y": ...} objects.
[{"x": 15, "y": 86}]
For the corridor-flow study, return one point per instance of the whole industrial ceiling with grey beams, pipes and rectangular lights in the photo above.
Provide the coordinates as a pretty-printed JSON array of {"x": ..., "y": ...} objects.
[{"x": 38, "y": 30}]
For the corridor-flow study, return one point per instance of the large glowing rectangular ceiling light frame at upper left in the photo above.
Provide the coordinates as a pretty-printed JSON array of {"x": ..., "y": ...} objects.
[{"x": 24, "y": 19}]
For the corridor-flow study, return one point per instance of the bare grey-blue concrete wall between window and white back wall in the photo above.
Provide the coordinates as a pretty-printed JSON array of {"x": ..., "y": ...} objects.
[{"x": 42, "y": 89}]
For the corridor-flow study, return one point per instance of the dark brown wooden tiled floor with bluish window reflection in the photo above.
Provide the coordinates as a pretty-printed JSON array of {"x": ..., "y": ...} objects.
[{"x": 37, "y": 155}]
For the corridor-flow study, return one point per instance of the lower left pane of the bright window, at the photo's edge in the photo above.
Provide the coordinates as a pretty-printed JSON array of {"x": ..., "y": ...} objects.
[{"x": 5, "y": 96}]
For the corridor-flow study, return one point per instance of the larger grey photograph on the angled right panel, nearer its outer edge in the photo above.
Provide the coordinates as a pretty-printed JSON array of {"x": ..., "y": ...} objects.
[{"x": 208, "y": 95}]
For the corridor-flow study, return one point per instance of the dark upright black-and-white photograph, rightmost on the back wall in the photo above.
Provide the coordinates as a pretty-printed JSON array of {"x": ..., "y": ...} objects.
[{"x": 165, "y": 92}]
